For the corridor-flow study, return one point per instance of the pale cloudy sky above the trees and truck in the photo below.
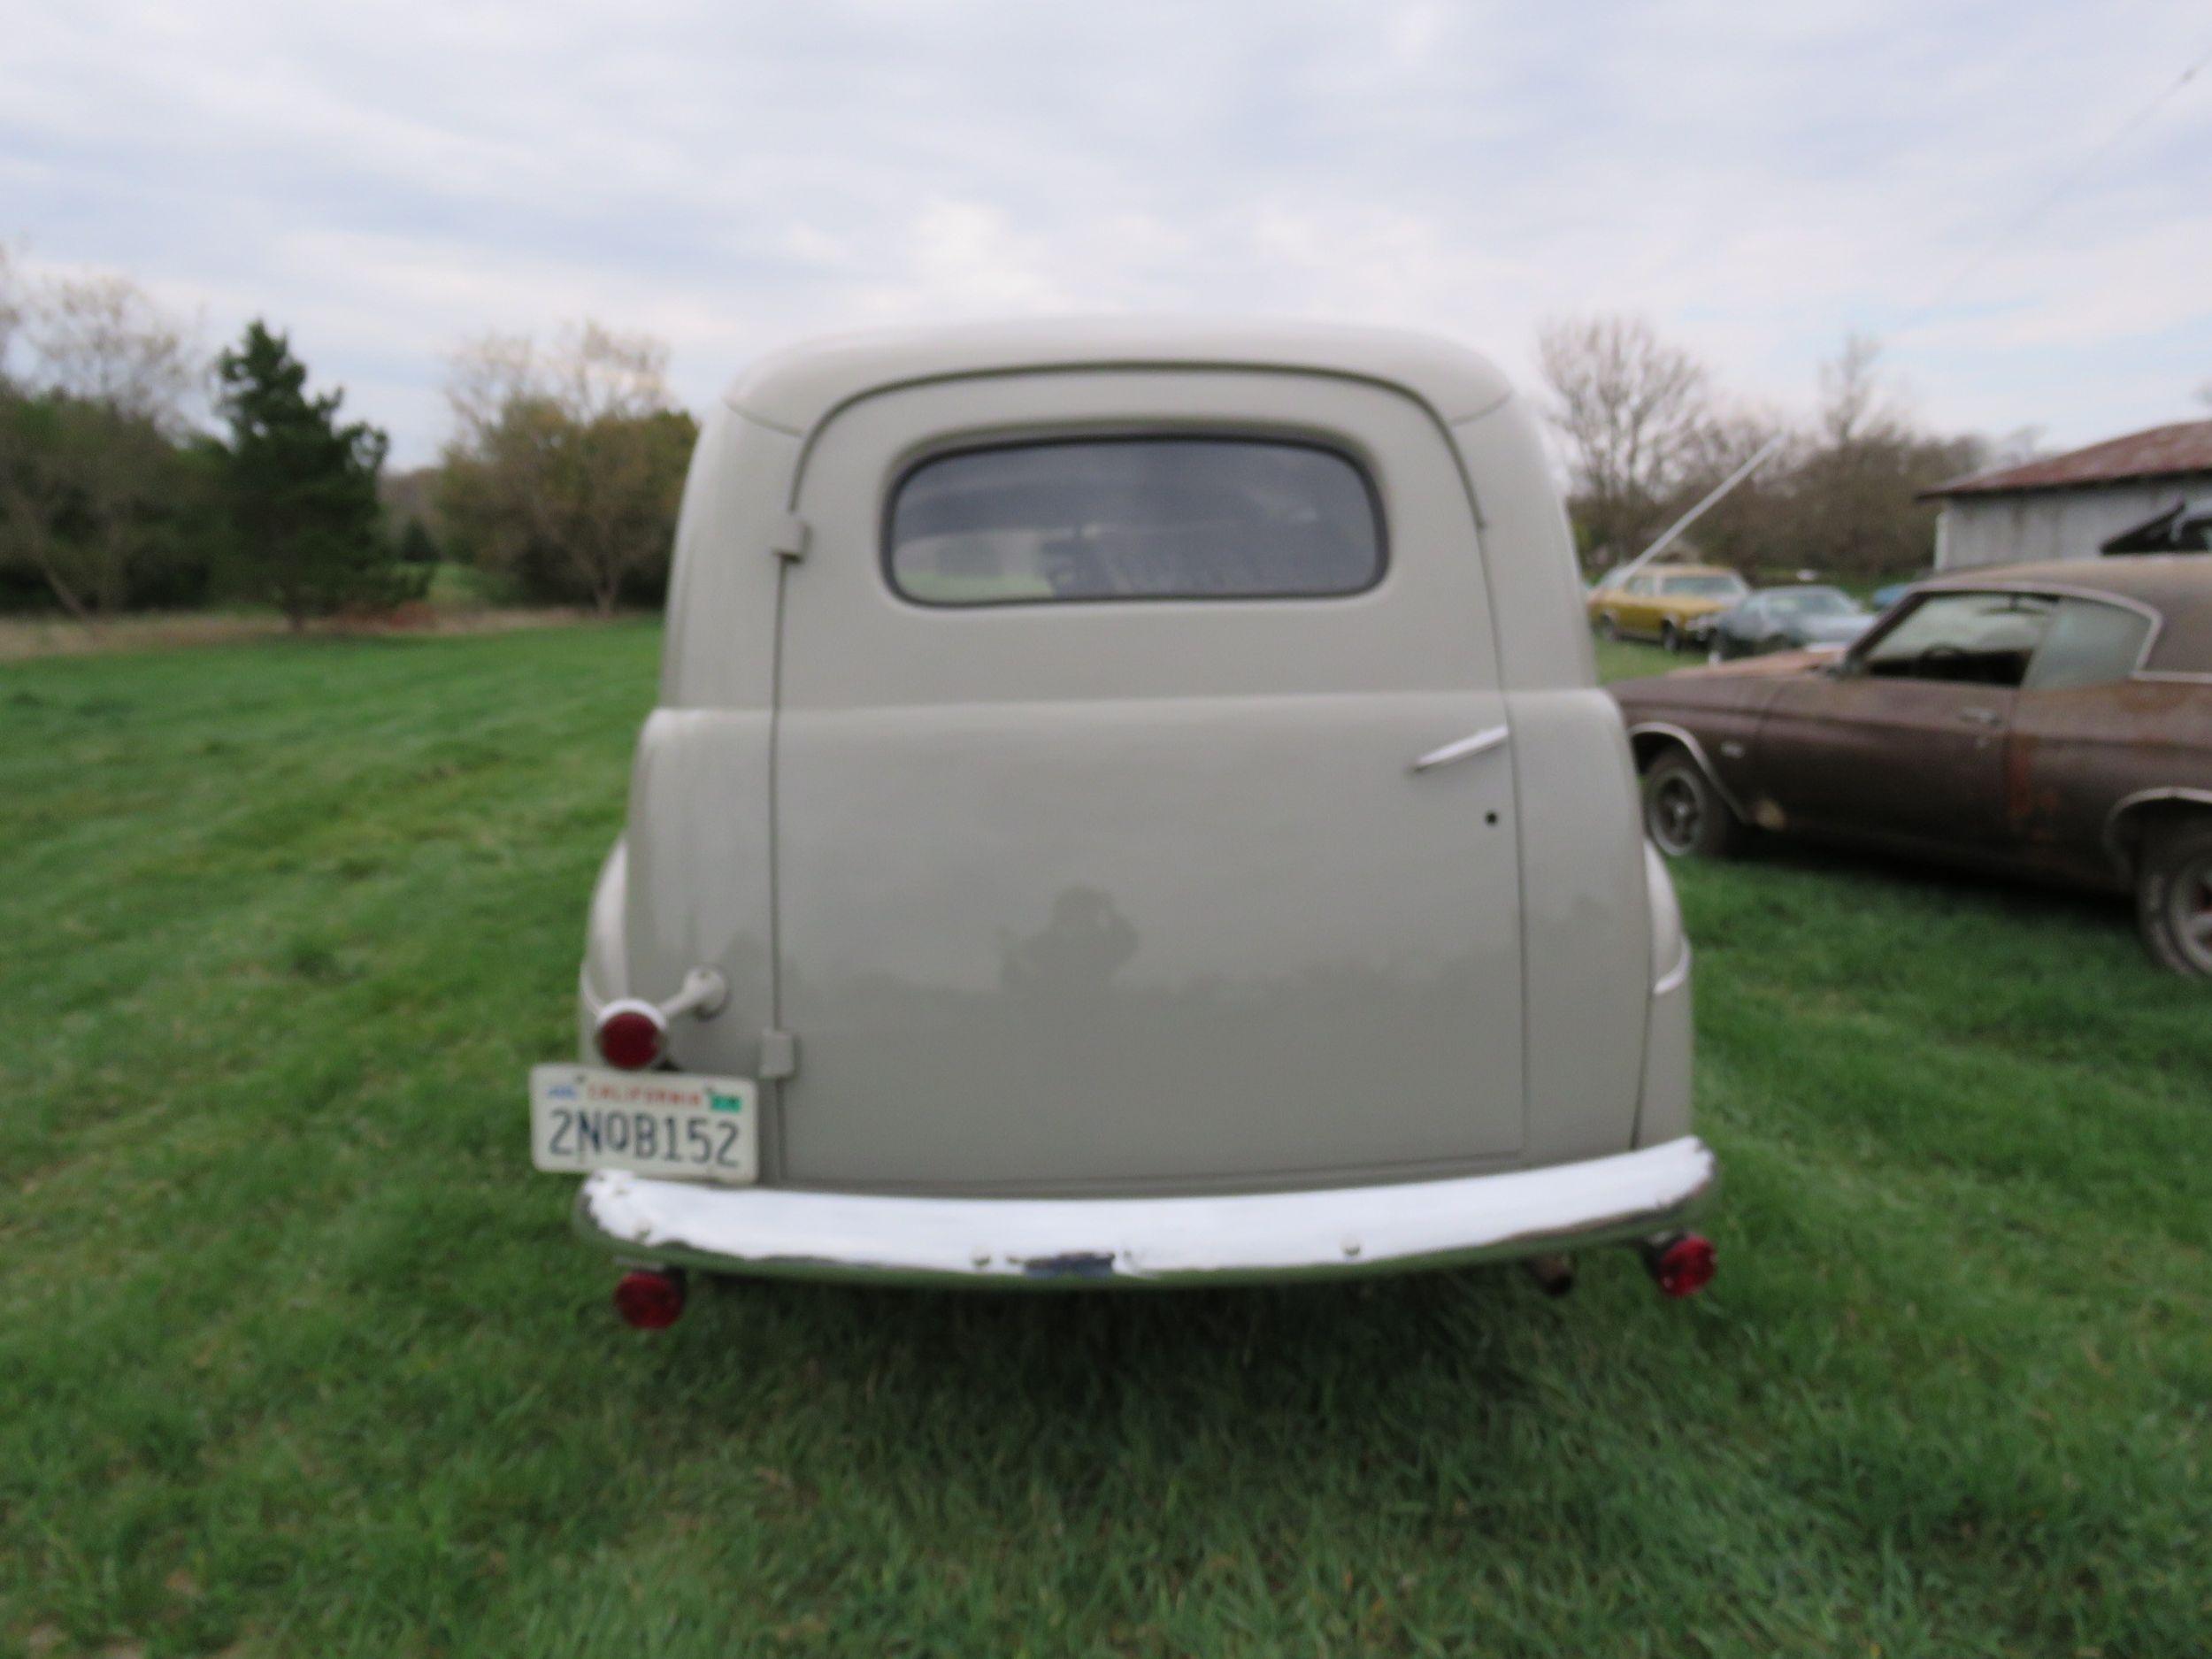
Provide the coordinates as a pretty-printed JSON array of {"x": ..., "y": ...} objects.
[{"x": 729, "y": 176}]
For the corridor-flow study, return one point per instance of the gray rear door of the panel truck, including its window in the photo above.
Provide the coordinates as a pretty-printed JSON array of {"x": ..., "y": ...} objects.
[{"x": 1103, "y": 859}]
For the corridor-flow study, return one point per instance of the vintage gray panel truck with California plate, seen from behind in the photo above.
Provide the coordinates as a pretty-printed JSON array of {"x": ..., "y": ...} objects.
[{"x": 1129, "y": 804}]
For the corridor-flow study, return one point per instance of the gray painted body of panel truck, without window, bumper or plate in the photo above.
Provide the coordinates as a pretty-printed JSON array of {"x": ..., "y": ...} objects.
[{"x": 1145, "y": 899}]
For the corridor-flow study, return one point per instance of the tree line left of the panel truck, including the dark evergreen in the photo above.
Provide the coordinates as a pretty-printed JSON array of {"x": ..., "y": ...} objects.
[{"x": 138, "y": 472}]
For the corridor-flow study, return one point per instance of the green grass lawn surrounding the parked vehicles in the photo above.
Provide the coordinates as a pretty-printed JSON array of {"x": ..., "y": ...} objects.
[{"x": 298, "y": 1357}]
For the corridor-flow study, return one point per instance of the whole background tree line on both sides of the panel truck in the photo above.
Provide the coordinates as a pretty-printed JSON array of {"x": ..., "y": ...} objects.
[{"x": 136, "y": 472}]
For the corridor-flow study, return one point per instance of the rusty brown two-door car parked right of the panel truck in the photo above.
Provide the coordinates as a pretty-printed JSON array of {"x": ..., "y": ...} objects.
[{"x": 2047, "y": 720}]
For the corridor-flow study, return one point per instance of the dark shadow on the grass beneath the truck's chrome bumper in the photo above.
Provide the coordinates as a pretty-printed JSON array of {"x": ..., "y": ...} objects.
[{"x": 1142, "y": 1388}]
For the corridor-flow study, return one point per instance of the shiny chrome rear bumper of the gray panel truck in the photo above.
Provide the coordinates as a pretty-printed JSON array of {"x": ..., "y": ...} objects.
[{"x": 1251, "y": 1235}]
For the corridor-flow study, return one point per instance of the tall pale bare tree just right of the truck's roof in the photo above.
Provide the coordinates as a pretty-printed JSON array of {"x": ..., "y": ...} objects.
[{"x": 1634, "y": 413}]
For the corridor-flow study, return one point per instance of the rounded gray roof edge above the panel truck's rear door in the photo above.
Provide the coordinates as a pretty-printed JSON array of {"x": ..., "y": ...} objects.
[{"x": 802, "y": 386}]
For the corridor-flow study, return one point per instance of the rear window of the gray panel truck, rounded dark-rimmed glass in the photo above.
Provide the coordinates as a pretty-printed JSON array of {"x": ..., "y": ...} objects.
[{"x": 1134, "y": 519}]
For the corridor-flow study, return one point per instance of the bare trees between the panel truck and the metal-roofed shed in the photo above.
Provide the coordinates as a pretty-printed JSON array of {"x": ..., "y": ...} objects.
[{"x": 1647, "y": 435}]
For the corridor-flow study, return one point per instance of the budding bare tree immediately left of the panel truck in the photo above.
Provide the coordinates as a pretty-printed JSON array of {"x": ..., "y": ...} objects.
[{"x": 567, "y": 457}]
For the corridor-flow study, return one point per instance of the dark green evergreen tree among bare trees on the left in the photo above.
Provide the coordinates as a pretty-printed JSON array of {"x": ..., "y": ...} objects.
[{"x": 304, "y": 488}]
